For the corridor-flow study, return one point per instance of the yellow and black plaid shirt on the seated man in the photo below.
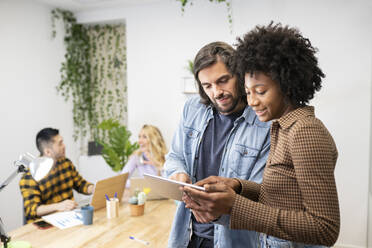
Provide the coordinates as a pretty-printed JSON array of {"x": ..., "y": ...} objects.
[{"x": 55, "y": 187}]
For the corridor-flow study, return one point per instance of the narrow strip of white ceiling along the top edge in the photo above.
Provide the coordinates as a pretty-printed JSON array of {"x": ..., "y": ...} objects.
[{"x": 82, "y": 5}]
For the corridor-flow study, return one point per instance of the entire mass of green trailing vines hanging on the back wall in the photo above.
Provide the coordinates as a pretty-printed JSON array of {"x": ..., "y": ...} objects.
[{"x": 93, "y": 74}]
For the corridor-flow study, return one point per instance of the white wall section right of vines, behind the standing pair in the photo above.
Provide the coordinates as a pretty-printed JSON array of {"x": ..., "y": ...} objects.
[{"x": 160, "y": 41}]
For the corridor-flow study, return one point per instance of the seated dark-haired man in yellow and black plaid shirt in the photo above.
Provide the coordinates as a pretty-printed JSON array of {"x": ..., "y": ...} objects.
[{"x": 53, "y": 192}]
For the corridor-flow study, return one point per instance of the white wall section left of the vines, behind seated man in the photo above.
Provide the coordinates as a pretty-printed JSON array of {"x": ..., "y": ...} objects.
[{"x": 29, "y": 72}]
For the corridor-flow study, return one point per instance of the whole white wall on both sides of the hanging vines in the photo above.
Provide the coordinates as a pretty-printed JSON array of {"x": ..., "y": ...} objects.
[{"x": 160, "y": 40}]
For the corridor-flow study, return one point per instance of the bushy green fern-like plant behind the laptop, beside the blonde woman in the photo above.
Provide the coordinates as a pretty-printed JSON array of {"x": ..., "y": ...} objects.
[{"x": 116, "y": 146}]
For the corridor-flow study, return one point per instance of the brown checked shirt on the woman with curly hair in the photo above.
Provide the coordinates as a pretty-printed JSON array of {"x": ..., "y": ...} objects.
[{"x": 297, "y": 199}]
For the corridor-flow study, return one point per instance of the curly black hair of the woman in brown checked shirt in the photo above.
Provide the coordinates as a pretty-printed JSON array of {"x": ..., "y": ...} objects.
[{"x": 283, "y": 54}]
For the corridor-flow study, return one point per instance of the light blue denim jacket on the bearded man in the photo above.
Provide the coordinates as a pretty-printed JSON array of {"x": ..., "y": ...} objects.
[{"x": 244, "y": 156}]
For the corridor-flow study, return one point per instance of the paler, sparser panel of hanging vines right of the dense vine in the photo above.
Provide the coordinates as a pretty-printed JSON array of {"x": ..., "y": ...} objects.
[{"x": 108, "y": 71}]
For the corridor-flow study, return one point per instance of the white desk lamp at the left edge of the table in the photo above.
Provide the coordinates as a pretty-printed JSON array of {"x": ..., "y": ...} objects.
[{"x": 39, "y": 167}]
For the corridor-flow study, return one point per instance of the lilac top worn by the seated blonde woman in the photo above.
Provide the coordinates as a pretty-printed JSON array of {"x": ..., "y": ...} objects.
[{"x": 137, "y": 169}]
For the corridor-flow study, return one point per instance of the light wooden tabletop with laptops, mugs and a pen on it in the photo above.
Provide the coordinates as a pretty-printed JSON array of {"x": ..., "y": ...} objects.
[{"x": 154, "y": 226}]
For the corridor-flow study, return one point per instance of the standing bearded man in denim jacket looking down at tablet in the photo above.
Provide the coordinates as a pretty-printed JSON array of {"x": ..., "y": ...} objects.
[{"x": 218, "y": 135}]
